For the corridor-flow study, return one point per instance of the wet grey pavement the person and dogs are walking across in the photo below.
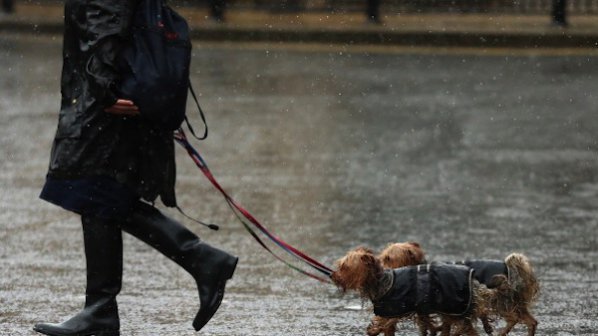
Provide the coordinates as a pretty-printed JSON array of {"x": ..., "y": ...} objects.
[{"x": 471, "y": 154}]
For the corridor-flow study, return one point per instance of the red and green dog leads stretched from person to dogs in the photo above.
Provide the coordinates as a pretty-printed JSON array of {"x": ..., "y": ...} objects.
[{"x": 247, "y": 218}]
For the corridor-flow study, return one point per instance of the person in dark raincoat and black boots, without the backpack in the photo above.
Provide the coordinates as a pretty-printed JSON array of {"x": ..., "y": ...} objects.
[{"x": 108, "y": 165}]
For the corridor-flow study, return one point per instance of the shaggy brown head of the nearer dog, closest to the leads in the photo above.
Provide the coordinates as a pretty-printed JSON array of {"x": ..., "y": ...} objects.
[{"x": 358, "y": 270}]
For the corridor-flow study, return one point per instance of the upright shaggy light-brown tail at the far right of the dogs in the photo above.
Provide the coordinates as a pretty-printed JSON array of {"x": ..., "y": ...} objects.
[{"x": 522, "y": 278}]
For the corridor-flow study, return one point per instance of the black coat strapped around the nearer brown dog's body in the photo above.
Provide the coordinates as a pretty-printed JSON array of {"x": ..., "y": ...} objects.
[{"x": 427, "y": 289}]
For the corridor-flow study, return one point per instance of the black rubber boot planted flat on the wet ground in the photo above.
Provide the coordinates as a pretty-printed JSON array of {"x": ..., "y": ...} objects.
[{"x": 103, "y": 253}]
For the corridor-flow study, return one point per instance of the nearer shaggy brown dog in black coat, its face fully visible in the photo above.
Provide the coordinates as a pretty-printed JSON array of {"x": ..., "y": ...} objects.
[{"x": 447, "y": 290}]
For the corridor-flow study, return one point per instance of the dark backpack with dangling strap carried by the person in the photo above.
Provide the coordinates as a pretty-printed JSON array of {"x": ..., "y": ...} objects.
[{"x": 154, "y": 65}]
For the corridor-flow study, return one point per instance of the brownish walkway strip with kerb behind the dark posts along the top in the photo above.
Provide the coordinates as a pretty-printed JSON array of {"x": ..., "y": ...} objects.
[{"x": 475, "y": 30}]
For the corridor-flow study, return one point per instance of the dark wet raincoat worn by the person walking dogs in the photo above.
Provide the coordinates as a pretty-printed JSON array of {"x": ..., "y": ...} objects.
[{"x": 90, "y": 142}]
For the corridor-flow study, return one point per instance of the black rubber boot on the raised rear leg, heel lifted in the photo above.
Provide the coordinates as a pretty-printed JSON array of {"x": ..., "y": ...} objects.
[{"x": 209, "y": 266}]
